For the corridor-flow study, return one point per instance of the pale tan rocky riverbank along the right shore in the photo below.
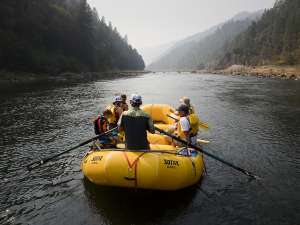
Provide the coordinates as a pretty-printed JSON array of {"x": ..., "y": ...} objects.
[{"x": 285, "y": 72}]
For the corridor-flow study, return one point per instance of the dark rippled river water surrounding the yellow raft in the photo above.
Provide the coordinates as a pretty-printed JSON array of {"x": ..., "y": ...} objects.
[{"x": 255, "y": 123}]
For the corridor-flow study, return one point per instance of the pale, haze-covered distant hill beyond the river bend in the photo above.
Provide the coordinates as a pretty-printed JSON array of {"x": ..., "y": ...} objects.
[{"x": 201, "y": 49}]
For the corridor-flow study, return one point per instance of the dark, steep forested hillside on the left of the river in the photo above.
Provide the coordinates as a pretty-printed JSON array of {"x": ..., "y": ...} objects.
[{"x": 60, "y": 35}]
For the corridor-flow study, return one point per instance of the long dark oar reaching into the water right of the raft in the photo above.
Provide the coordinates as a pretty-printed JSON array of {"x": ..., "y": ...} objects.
[{"x": 248, "y": 173}]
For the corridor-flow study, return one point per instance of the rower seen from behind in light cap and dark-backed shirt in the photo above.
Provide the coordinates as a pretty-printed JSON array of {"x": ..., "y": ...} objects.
[{"x": 135, "y": 123}]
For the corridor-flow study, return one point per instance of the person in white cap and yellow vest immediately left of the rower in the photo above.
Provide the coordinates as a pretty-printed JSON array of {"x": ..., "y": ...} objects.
[{"x": 114, "y": 112}]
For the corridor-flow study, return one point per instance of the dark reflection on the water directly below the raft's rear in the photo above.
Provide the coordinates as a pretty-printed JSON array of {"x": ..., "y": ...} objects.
[{"x": 138, "y": 206}]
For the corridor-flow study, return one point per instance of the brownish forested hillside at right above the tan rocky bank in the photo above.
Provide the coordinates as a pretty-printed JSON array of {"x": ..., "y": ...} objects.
[{"x": 275, "y": 39}]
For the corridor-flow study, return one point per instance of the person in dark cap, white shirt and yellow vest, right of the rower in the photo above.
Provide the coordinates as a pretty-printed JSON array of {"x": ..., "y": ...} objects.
[{"x": 184, "y": 130}]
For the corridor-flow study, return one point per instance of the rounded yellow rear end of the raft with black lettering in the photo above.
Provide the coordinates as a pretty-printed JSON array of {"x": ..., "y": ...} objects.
[{"x": 161, "y": 168}]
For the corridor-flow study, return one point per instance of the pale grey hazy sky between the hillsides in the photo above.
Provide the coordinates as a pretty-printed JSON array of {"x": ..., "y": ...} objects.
[{"x": 153, "y": 22}]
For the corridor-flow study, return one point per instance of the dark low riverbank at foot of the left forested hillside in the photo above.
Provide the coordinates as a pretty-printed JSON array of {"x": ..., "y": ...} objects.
[{"x": 11, "y": 78}]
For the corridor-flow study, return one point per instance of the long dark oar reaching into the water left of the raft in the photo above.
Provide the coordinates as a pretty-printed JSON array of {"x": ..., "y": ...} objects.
[{"x": 38, "y": 163}]
